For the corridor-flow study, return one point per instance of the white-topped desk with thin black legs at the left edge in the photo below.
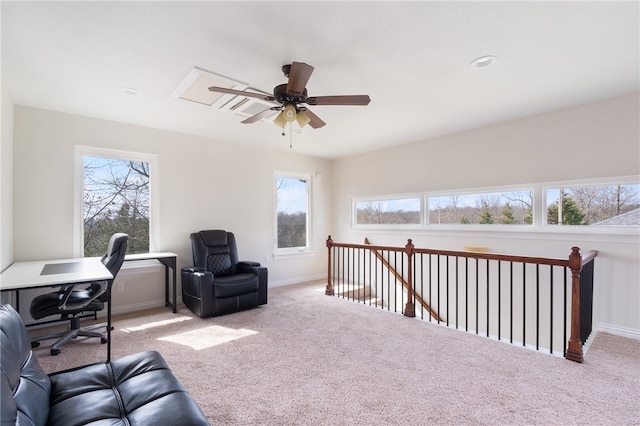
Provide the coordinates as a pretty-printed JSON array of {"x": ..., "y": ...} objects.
[{"x": 56, "y": 273}]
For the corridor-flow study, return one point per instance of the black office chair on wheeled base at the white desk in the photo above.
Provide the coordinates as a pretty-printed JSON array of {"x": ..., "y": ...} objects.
[{"x": 72, "y": 301}]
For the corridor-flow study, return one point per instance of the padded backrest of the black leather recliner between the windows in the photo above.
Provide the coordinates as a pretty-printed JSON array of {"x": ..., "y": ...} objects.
[{"x": 215, "y": 251}]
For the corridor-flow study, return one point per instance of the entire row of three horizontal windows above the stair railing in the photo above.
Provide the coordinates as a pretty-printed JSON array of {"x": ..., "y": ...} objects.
[{"x": 610, "y": 205}]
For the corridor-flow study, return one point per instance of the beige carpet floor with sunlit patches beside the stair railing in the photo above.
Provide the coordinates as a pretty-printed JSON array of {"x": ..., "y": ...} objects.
[{"x": 310, "y": 359}]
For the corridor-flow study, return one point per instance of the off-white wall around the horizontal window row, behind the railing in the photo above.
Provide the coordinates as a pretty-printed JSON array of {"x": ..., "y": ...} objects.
[{"x": 592, "y": 141}]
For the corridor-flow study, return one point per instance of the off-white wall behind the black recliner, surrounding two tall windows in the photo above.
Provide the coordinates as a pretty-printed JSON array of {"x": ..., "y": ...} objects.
[{"x": 204, "y": 184}]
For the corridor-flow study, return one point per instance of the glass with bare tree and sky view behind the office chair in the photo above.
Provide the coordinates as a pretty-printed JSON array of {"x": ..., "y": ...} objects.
[{"x": 115, "y": 199}]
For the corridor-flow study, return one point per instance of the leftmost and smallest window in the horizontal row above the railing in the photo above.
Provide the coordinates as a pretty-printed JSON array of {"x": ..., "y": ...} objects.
[{"x": 398, "y": 211}]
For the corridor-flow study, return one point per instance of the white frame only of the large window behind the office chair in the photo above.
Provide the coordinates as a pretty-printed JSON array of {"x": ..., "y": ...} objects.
[{"x": 80, "y": 152}]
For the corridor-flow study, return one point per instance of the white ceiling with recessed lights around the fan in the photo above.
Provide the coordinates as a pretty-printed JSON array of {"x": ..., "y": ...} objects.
[{"x": 412, "y": 58}]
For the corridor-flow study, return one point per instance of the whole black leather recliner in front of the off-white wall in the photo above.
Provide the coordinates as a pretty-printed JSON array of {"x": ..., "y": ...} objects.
[{"x": 218, "y": 283}]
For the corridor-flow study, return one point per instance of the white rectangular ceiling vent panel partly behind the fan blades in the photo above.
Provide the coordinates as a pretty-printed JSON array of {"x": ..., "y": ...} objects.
[{"x": 195, "y": 89}]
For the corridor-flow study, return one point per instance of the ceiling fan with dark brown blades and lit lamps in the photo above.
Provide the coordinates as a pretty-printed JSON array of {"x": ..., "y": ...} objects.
[{"x": 287, "y": 98}]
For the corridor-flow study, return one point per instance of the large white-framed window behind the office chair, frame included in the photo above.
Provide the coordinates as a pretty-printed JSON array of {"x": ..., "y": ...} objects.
[{"x": 116, "y": 193}]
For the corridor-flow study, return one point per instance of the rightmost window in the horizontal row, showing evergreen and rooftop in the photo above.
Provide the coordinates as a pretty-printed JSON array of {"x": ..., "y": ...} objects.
[{"x": 600, "y": 205}]
